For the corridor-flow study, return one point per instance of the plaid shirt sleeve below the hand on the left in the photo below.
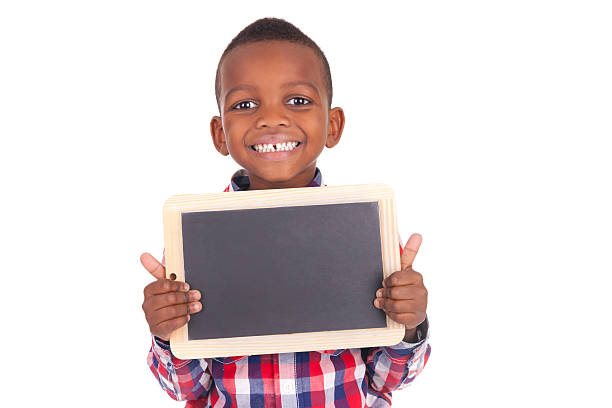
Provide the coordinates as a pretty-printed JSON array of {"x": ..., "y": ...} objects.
[{"x": 181, "y": 379}]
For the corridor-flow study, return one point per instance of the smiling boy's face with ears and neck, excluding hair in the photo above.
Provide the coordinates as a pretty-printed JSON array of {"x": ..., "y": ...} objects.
[{"x": 272, "y": 92}]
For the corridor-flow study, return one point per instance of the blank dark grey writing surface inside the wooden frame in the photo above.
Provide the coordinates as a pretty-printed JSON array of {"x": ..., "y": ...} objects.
[{"x": 284, "y": 270}]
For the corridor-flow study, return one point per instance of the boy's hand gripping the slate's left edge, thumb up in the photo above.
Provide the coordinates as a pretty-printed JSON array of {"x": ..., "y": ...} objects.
[{"x": 167, "y": 303}]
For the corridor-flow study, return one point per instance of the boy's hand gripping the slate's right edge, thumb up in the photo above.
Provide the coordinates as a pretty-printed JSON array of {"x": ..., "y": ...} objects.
[{"x": 404, "y": 296}]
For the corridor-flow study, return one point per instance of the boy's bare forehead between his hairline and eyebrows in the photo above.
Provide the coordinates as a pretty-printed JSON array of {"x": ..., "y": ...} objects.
[{"x": 270, "y": 64}]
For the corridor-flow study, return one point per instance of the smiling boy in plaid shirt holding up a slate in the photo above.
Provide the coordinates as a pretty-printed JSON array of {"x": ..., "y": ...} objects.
[{"x": 274, "y": 91}]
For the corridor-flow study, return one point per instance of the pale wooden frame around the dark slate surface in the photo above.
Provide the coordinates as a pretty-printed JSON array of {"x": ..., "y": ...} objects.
[{"x": 283, "y": 343}]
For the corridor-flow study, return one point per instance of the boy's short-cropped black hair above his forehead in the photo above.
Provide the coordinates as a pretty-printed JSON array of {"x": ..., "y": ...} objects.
[{"x": 270, "y": 29}]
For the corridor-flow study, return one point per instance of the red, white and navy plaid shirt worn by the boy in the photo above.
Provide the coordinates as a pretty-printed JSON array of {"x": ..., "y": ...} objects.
[{"x": 327, "y": 378}]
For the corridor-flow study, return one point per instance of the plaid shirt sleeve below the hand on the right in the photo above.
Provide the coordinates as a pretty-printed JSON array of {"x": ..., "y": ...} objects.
[{"x": 395, "y": 367}]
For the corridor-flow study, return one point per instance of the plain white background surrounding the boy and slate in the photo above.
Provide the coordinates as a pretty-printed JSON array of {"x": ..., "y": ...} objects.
[{"x": 491, "y": 120}]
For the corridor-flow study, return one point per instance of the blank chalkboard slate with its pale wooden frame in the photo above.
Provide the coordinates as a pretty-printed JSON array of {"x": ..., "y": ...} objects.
[{"x": 283, "y": 270}]
